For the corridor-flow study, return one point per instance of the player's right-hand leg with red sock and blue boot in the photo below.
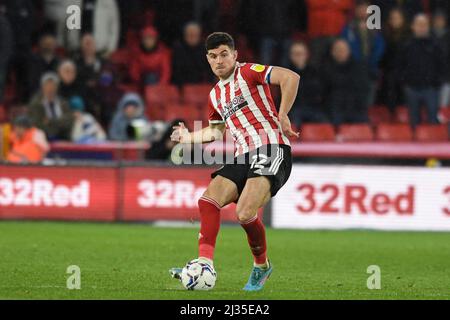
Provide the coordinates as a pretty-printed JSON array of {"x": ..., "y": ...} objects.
[{"x": 255, "y": 195}]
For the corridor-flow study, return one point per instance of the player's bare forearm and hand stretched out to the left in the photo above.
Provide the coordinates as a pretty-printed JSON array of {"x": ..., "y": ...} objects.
[{"x": 208, "y": 134}]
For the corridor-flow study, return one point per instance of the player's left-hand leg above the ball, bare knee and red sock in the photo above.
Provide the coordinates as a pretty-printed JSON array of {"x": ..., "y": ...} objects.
[{"x": 220, "y": 192}]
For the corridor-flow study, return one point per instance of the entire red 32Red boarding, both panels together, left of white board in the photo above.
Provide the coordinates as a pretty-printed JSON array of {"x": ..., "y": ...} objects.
[{"x": 104, "y": 193}]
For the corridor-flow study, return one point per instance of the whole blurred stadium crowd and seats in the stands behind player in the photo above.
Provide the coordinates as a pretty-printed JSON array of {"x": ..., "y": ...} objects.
[{"x": 134, "y": 60}]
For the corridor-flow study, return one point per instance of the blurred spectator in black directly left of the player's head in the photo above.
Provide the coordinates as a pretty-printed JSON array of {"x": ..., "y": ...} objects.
[{"x": 189, "y": 61}]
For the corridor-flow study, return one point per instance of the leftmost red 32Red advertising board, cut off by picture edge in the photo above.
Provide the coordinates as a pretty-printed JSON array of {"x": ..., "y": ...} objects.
[{"x": 67, "y": 193}]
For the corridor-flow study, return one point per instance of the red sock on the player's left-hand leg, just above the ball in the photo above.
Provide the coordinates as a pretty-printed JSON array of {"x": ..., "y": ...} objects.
[{"x": 209, "y": 226}]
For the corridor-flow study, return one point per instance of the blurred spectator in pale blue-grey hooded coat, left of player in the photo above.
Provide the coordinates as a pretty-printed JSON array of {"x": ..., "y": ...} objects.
[{"x": 129, "y": 122}]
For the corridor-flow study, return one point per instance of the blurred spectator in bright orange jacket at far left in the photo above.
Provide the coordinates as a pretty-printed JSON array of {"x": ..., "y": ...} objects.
[{"x": 28, "y": 143}]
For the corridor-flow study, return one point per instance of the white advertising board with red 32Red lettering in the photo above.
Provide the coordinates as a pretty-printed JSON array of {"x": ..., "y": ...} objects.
[{"x": 364, "y": 197}]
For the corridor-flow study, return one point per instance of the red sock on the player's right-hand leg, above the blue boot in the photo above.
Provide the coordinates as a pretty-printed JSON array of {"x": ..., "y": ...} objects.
[{"x": 256, "y": 236}]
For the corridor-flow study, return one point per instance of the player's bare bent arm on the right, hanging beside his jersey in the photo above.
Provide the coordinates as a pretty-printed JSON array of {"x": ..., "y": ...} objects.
[{"x": 288, "y": 82}]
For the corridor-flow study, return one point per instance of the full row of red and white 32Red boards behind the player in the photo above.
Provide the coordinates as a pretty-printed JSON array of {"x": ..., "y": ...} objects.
[{"x": 315, "y": 197}]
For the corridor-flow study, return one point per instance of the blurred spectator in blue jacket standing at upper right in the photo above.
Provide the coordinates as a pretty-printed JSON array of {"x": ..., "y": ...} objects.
[{"x": 367, "y": 46}]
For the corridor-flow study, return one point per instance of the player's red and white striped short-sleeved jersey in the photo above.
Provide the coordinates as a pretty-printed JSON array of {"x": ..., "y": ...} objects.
[{"x": 244, "y": 103}]
